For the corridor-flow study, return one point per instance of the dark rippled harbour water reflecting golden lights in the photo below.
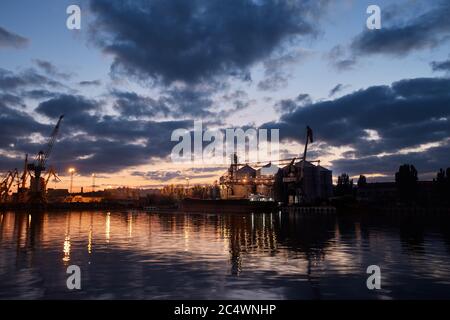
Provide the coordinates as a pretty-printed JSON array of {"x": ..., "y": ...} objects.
[{"x": 137, "y": 255}]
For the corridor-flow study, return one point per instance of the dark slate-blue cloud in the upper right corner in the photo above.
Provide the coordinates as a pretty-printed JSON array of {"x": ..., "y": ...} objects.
[{"x": 426, "y": 30}]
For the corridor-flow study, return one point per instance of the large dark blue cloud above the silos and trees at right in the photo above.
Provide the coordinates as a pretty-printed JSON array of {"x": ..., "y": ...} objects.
[{"x": 407, "y": 114}]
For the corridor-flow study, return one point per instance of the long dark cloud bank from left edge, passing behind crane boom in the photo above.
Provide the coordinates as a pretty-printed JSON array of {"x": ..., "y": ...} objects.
[{"x": 88, "y": 141}]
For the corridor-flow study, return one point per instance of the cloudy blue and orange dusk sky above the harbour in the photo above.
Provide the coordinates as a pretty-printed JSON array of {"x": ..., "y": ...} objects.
[{"x": 138, "y": 70}]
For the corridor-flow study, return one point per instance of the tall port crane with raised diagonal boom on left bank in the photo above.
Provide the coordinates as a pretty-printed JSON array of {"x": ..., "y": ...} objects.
[{"x": 38, "y": 183}]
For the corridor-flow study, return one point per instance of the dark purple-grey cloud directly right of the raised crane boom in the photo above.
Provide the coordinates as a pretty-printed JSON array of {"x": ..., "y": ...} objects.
[{"x": 111, "y": 144}]
